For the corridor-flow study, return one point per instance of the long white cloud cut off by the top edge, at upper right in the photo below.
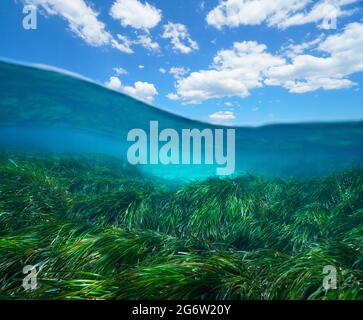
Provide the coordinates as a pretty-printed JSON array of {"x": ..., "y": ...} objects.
[{"x": 279, "y": 13}]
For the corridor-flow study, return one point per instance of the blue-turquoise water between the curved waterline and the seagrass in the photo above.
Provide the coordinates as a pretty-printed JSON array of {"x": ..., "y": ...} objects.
[{"x": 46, "y": 111}]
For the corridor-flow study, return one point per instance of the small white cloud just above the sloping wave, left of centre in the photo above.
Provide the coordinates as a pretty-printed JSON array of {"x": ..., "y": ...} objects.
[{"x": 140, "y": 90}]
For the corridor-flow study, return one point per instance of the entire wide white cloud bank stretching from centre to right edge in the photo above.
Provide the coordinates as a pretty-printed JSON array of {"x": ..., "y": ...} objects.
[{"x": 249, "y": 65}]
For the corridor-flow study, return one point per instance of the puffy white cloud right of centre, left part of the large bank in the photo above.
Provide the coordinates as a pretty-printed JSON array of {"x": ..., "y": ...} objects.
[{"x": 234, "y": 72}]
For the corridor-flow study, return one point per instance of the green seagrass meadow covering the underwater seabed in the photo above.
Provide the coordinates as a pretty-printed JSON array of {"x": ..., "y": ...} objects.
[{"x": 97, "y": 228}]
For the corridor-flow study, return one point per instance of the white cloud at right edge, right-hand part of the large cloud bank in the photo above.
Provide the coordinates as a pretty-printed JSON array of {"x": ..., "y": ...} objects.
[{"x": 308, "y": 73}]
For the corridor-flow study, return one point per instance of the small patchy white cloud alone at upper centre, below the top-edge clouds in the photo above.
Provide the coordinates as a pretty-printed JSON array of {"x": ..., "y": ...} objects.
[{"x": 179, "y": 37}]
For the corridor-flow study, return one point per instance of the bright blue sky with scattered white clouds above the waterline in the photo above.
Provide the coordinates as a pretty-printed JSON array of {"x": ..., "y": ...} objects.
[{"x": 243, "y": 62}]
